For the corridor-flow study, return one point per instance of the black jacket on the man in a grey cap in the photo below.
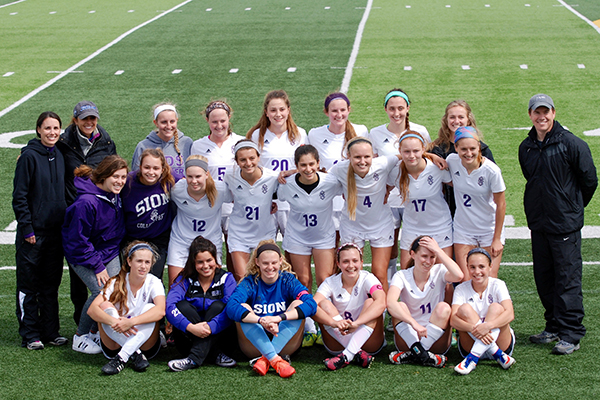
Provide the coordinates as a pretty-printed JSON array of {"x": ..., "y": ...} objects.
[{"x": 561, "y": 180}]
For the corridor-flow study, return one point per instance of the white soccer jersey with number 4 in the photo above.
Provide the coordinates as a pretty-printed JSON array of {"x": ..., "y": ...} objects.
[{"x": 371, "y": 214}]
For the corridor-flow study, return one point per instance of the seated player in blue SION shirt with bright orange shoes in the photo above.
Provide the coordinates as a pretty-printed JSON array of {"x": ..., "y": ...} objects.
[{"x": 270, "y": 305}]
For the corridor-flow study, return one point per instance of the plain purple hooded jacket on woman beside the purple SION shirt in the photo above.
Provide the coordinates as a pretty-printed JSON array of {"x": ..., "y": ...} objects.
[{"x": 94, "y": 227}]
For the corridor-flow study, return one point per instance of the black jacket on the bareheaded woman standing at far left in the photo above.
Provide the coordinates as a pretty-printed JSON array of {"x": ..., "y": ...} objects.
[{"x": 39, "y": 190}]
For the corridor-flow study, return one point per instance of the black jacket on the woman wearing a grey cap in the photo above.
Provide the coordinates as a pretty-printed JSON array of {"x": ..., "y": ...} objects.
[{"x": 69, "y": 146}]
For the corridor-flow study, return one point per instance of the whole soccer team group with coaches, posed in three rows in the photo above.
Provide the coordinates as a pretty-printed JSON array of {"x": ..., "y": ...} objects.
[{"x": 262, "y": 235}]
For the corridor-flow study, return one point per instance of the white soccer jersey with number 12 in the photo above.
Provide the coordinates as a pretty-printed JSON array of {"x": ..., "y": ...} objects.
[{"x": 197, "y": 217}]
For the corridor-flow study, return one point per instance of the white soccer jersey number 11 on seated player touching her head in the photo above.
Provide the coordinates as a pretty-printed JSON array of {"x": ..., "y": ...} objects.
[{"x": 421, "y": 303}]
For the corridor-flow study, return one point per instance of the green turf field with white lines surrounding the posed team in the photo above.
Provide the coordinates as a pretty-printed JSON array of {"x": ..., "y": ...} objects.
[{"x": 436, "y": 41}]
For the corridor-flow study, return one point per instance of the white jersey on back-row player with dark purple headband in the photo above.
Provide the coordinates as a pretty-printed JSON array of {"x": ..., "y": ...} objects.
[{"x": 330, "y": 145}]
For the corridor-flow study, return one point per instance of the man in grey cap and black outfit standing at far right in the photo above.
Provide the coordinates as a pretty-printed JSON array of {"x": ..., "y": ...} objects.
[{"x": 561, "y": 180}]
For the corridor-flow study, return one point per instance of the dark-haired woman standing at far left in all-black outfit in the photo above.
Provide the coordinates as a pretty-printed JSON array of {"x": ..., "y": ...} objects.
[{"x": 39, "y": 205}]
